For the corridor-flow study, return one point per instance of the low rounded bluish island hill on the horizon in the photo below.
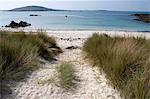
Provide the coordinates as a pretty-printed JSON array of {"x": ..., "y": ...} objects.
[{"x": 34, "y": 8}]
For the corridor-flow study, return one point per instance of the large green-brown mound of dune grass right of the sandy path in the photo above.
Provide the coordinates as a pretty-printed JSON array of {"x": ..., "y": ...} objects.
[{"x": 126, "y": 62}]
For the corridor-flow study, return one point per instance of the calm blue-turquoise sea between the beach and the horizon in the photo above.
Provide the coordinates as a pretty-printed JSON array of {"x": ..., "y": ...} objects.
[{"x": 100, "y": 20}]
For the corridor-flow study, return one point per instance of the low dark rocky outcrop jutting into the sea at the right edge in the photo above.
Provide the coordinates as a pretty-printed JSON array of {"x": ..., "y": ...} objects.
[{"x": 142, "y": 17}]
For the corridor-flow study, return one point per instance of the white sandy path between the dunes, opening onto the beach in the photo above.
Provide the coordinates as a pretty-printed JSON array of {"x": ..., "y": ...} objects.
[{"x": 91, "y": 84}]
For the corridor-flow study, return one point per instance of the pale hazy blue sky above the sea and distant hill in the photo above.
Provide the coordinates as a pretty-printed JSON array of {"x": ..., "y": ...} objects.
[{"x": 125, "y": 5}]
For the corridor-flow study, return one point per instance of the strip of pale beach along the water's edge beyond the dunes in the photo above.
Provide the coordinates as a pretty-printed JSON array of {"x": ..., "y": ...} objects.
[{"x": 66, "y": 33}]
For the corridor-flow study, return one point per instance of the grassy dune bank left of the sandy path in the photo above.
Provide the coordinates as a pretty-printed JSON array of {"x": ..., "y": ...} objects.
[{"x": 19, "y": 53}]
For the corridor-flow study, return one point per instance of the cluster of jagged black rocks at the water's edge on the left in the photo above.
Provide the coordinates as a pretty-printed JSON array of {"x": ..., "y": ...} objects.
[{"x": 14, "y": 24}]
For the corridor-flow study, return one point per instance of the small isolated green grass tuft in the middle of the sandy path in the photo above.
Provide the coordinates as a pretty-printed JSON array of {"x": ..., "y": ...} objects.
[{"x": 66, "y": 75}]
